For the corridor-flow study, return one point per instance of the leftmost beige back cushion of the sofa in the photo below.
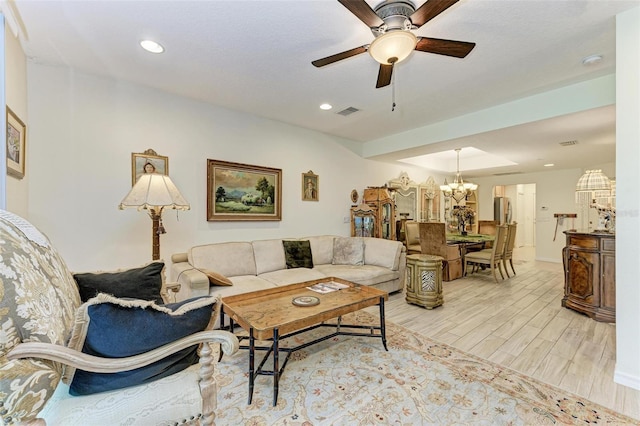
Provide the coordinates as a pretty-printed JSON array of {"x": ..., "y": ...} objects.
[{"x": 229, "y": 259}]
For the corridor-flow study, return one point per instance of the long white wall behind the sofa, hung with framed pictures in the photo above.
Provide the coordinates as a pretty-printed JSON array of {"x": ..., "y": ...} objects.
[{"x": 84, "y": 129}]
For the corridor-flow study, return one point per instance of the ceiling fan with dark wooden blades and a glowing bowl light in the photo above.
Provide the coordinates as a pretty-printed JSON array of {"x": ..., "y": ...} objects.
[{"x": 391, "y": 23}]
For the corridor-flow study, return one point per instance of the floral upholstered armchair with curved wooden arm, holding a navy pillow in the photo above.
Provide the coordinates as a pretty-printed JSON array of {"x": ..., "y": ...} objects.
[{"x": 107, "y": 361}]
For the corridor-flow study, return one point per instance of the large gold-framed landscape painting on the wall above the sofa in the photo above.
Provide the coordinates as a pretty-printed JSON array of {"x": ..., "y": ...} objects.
[{"x": 238, "y": 192}]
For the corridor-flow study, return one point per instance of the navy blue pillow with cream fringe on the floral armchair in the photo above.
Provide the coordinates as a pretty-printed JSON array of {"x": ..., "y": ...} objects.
[{"x": 120, "y": 328}]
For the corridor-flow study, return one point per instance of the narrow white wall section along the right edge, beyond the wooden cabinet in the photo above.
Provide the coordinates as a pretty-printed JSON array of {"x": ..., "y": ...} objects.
[{"x": 628, "y": 199}]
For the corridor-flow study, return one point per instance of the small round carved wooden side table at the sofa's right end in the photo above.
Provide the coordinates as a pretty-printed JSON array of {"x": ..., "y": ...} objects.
[{"x": 424, "y": 280}]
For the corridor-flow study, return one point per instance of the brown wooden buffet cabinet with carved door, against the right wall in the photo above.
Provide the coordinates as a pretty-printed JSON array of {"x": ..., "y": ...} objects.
[{"x": 590, "y": 274}]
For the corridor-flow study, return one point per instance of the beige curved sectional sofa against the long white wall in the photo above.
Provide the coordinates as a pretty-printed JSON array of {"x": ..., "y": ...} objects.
[{"x": 257, "y": 265}]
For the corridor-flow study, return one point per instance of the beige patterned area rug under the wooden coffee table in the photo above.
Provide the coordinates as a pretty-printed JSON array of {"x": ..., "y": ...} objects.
[{"x": 353, "y": 381}]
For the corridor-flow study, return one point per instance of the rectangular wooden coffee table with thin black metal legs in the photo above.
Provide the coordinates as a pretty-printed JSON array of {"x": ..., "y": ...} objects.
[{"x": 270, "y": 315}]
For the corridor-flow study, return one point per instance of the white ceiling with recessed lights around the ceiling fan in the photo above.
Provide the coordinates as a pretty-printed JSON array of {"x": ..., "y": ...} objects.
[{"x": 255, "y": 56}]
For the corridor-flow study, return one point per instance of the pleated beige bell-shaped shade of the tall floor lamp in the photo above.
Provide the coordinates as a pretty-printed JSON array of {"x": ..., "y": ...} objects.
[{"x": 154, "y": 190}]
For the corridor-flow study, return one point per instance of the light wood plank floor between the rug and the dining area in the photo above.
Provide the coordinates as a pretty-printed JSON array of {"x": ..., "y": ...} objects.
[{"x": 520, "y": 323}]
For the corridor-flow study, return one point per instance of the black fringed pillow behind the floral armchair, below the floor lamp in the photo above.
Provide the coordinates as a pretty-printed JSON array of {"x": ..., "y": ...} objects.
[{"x": 143, "y": 283}]
